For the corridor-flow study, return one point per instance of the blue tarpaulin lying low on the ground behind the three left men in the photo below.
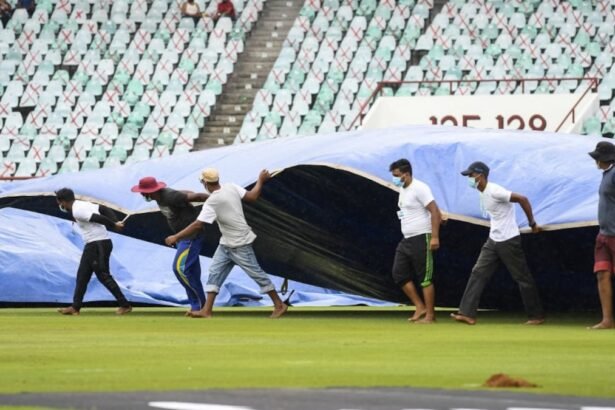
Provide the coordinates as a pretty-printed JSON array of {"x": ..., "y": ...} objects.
[{"x": 40, "y": 255}]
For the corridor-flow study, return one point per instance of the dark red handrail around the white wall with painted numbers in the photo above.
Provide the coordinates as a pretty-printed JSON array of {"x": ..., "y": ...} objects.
[{"x": 381, "y": 84}]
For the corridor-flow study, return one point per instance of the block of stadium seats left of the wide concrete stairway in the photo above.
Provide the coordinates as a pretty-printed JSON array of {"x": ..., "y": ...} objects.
[{"x": 86, "y": 84}]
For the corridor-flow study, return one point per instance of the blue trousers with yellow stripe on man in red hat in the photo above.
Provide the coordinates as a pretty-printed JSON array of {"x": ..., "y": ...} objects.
[{"x": 187, "y": 269}]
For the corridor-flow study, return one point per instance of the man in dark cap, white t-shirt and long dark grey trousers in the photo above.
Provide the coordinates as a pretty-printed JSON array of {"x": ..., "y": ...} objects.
[{"x": 503, "y": 245}]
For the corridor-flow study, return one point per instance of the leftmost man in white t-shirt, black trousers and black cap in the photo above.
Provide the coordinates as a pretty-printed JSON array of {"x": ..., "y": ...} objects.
[{"x": 93, "y": 221}]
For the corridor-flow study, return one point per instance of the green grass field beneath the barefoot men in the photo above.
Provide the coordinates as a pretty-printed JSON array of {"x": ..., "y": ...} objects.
[{"x": 158, "y": 349}]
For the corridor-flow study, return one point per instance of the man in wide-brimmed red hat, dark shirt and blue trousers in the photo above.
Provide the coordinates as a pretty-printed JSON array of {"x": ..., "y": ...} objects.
[{"x": 177, "y": 208}]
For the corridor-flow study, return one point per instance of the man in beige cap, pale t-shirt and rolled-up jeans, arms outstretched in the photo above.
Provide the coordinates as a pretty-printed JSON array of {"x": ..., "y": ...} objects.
[{"x": 224, "y": 206}]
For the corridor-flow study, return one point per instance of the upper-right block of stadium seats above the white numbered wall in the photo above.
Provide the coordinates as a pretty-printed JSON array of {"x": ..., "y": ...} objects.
[{"x": 526, "y": 39}]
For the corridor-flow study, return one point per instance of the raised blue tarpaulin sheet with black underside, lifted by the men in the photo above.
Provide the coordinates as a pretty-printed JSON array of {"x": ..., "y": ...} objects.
[{"x": 327, "y": 218}]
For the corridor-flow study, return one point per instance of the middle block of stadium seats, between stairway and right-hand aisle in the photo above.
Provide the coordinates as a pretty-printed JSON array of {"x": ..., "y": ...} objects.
[{"x": 333, "y": 57}]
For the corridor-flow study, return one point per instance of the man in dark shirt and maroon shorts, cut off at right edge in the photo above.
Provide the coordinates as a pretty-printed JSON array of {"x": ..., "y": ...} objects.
[{"x": 604, "y": 252}]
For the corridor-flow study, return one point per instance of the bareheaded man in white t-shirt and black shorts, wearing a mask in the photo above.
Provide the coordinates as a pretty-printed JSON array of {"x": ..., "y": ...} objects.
[{"x": 420, "y": 224}]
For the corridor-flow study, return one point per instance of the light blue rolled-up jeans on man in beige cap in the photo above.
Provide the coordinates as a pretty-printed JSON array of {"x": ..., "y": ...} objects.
[{"x": 226, "y": 258}]
